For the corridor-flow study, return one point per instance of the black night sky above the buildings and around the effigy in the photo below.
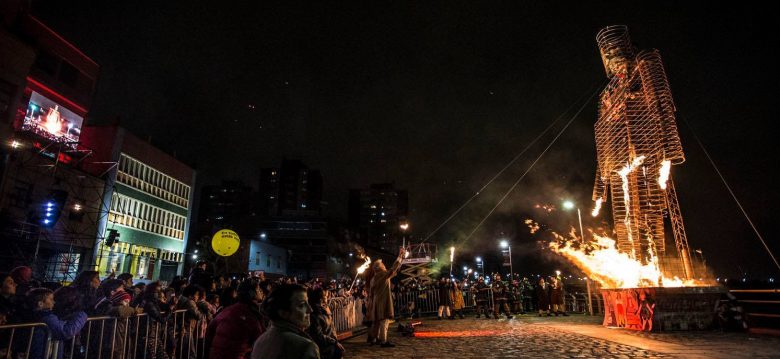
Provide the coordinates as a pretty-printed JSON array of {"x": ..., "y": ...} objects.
[{"x": 438, "y": 97}]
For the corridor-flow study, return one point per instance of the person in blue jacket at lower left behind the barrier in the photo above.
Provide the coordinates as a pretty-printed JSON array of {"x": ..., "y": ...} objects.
[{"x": 41, "y": 300}]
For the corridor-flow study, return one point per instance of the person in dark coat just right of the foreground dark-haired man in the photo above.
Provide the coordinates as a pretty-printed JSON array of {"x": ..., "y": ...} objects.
[{"x": 321, "y": 329}]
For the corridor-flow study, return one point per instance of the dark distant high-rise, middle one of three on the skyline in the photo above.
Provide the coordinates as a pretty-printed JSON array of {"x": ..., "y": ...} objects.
[{"x": 290, "y": 190}]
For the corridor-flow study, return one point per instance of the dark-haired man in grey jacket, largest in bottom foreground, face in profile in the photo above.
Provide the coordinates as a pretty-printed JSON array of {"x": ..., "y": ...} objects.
[{"x": 288, "y": 308}]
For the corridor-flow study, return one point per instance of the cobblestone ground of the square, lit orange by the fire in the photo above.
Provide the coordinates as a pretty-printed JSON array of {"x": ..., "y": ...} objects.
[{"x": 558, "y": 337}]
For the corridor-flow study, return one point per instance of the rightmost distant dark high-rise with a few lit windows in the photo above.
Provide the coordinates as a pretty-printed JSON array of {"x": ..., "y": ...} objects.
[{"x": 377, "y": 213}]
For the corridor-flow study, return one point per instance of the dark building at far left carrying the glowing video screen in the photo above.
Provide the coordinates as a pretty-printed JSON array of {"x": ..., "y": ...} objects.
[{"x": 49, "y": 206}]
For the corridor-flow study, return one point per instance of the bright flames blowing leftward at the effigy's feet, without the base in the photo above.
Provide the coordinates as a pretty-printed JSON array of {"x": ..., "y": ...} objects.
[{"x": 602, "y": 262}]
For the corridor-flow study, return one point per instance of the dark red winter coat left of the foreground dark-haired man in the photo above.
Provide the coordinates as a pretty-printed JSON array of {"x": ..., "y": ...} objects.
[{"x": 233, "y": 331}]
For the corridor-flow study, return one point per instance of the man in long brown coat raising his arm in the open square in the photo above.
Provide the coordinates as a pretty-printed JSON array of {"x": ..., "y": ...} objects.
[{"x": 380, "y": 307}]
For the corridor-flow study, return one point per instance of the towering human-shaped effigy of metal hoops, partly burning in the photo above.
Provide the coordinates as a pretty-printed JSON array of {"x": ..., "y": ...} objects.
[{"x": 637, "y": 142}]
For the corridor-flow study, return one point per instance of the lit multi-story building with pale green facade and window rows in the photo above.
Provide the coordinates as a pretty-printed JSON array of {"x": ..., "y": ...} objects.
[{"x": 147, "y": 199}]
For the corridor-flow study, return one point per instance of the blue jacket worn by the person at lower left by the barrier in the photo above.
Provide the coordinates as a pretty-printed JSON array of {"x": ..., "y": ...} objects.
[{"x": 60, "y": 330}]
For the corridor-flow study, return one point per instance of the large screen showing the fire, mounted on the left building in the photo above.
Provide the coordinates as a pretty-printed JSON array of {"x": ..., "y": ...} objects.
[{"x": 48, "y": 119}]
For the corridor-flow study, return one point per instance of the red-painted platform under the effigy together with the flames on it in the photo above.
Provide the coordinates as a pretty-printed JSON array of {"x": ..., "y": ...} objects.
[{"x": 640, "y": 296}]
